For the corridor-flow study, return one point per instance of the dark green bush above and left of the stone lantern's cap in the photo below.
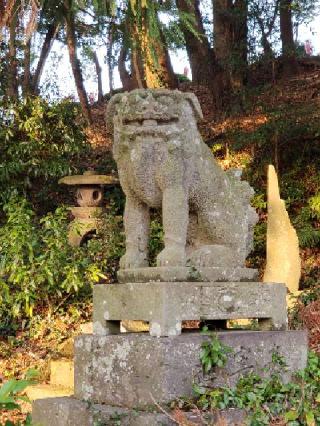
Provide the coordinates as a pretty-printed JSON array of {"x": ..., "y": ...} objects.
[{"x": 37, "y": 142}]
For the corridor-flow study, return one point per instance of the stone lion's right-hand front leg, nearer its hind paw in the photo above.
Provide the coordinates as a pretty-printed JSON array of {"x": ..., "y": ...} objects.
[{"x": 175, "y": 213}]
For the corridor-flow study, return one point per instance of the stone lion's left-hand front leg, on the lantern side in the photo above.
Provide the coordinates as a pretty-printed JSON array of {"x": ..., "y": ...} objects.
[{"x": 136, "y": 223}]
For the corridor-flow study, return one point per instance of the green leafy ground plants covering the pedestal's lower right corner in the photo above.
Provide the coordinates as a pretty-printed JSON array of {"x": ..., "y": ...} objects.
[{"x": 267, "y": 399}]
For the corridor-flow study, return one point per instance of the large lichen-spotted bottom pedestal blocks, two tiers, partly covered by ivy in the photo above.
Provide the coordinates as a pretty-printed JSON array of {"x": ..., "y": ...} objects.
[{"x": 122, "y": 376}]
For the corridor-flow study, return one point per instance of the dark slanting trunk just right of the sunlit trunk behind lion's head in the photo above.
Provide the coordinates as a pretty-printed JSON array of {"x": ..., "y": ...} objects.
[{"x": 200, "y": 54}]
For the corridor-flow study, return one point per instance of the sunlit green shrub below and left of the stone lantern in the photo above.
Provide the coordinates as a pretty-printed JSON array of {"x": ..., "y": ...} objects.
[{"x": 37, "y": 265}]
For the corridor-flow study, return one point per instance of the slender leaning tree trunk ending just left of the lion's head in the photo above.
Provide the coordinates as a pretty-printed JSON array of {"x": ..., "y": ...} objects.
[{"x": 75, "y": 63}]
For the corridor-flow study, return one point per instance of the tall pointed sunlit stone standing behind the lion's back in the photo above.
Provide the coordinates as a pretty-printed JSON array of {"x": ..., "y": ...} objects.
[{"x": 283, "y": 259}]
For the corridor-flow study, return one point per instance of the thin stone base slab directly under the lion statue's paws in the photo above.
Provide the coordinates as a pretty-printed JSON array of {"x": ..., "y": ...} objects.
[{"x": 182, "y": 274}]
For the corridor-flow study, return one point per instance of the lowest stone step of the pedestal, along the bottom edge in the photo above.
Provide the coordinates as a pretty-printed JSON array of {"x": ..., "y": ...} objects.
[{"x": 79, "y": 413}]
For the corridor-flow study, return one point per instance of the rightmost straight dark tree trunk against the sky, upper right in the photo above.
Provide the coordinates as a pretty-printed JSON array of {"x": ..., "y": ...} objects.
[{"x": 287, "y": 39}]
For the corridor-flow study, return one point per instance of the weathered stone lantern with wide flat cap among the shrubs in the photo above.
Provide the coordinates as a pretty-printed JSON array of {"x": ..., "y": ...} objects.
[{"x": 90, "y": 200}]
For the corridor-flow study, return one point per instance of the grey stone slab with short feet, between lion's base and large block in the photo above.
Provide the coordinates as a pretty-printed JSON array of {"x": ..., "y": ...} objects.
[{"x": 166, "y": 304}]
